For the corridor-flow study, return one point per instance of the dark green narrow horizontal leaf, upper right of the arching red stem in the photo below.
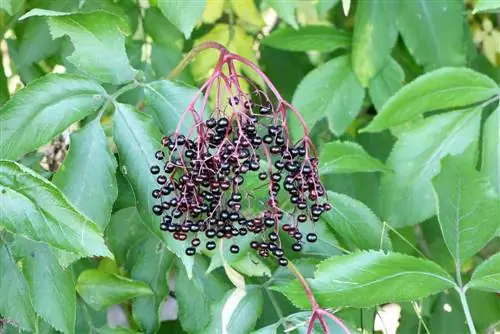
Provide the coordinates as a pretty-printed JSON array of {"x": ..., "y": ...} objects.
[{"x": 309, "y": 38}]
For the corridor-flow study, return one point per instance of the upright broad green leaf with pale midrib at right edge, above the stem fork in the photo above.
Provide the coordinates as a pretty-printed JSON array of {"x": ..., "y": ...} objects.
[{"x": 468, "y": 207}]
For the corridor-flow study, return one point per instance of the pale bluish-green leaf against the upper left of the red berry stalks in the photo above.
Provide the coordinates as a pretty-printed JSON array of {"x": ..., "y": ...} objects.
[{"x": 167, "y": 101}]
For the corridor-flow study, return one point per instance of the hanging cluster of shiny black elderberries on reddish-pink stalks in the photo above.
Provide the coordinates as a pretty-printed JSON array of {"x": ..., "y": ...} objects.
[{"x": 204, "y": 175}]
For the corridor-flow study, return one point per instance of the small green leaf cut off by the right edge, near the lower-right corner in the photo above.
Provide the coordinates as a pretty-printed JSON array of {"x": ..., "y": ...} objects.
[{"x": 487, "y": 275}]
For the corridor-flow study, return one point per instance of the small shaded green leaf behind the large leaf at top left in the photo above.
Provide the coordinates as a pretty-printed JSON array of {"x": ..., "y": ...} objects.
[{"x": 36, "y": 43}]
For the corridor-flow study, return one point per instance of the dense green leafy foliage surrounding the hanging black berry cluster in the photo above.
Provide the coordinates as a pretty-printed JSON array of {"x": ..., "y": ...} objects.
[{"x": 402, "y": 99}]
